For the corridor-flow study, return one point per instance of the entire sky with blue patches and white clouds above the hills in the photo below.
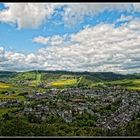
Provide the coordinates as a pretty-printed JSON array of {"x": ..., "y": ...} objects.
[{"x": 94, "y": 37}]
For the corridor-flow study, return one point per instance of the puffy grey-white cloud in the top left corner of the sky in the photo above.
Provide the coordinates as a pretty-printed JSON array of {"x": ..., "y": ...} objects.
[{"x": 26, "y": 15}]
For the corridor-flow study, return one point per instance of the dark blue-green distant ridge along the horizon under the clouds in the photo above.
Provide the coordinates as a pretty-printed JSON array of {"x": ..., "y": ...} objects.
[{"x": 96, "y": 76}]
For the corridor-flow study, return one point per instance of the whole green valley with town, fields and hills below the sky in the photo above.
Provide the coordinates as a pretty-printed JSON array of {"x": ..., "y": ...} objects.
[{"x": 86, "y": 104}]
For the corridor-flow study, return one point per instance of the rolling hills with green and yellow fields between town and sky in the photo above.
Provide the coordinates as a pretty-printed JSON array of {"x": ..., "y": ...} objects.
[{"x": 68, "y": 78}]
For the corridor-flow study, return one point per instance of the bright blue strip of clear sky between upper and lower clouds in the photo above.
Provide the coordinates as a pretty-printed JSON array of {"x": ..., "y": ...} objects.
[{"x": 21, "y": 40}]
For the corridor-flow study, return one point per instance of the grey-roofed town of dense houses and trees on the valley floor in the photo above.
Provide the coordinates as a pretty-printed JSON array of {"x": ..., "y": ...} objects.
[{"x": 111, "y": 106}]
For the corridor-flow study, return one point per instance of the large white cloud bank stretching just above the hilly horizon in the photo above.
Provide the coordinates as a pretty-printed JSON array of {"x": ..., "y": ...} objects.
[{"x": 103, "y": 47}]
